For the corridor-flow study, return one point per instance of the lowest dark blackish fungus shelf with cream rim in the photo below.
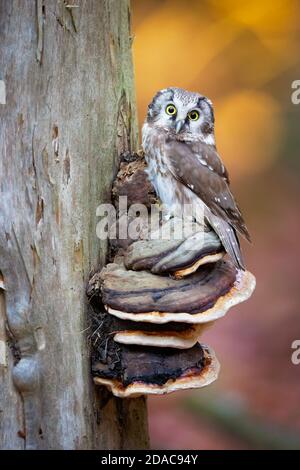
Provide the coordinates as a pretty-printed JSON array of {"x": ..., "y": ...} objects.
[{"x": 144, "y": 371}]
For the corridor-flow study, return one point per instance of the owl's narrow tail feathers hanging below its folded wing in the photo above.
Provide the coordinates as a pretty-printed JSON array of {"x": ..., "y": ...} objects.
[{"x": 229, "y": 239}]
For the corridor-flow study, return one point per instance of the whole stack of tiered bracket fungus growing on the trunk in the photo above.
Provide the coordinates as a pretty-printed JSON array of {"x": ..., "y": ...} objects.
[{"x": 151, "y": 303}]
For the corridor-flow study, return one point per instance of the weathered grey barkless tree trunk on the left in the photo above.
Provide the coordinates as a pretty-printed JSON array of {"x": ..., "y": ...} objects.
[{"x": 67, "y": 115}]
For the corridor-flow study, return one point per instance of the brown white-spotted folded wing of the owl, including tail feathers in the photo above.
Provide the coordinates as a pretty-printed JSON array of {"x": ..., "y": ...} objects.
[{"x": 199, "y": 167}]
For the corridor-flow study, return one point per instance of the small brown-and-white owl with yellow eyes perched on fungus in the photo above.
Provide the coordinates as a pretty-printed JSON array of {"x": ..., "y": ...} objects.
[{"x": 184, "y": 167}]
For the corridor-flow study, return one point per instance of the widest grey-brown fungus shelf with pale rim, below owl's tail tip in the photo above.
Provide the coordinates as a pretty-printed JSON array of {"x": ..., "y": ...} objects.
[{"x": 202, "y": 297}]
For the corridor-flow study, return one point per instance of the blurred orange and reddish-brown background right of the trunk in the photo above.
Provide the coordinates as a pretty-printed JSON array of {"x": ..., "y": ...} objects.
[{"x": 244, "y": 55}]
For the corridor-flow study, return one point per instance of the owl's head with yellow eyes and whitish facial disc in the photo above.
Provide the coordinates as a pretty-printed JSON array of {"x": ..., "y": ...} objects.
[{"x": 183, "y": 113}]
